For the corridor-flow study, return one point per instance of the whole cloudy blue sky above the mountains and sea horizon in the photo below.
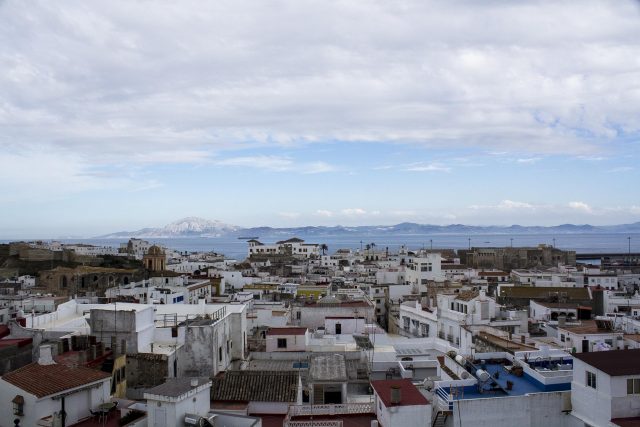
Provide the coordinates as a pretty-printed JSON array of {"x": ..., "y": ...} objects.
[{"x": 118, "y": 115}]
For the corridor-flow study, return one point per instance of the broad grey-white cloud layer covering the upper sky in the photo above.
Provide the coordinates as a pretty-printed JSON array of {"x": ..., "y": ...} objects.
[{"x": 193, "y": 79}]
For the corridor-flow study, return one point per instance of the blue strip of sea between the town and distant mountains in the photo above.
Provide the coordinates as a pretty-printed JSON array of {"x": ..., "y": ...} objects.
[{"x": 234, "y": 248}]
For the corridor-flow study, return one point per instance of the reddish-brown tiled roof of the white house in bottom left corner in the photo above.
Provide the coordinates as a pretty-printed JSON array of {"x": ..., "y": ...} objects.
[{"x": 45, "y": 380}]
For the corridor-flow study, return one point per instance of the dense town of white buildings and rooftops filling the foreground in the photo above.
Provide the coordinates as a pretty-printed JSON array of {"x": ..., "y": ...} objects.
[{"x": 292, "y": 335}]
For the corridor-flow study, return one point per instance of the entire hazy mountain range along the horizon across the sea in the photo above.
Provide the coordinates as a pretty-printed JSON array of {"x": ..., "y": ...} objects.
[{"x": 198, "y": 227}]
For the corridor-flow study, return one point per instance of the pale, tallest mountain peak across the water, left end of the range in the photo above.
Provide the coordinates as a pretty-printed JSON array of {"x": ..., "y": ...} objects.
[{"x": 186, "y": 227}]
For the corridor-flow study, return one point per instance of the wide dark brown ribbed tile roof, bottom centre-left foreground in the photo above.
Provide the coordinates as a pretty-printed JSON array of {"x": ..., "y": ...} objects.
[{"x": 255, "y": 386}]
